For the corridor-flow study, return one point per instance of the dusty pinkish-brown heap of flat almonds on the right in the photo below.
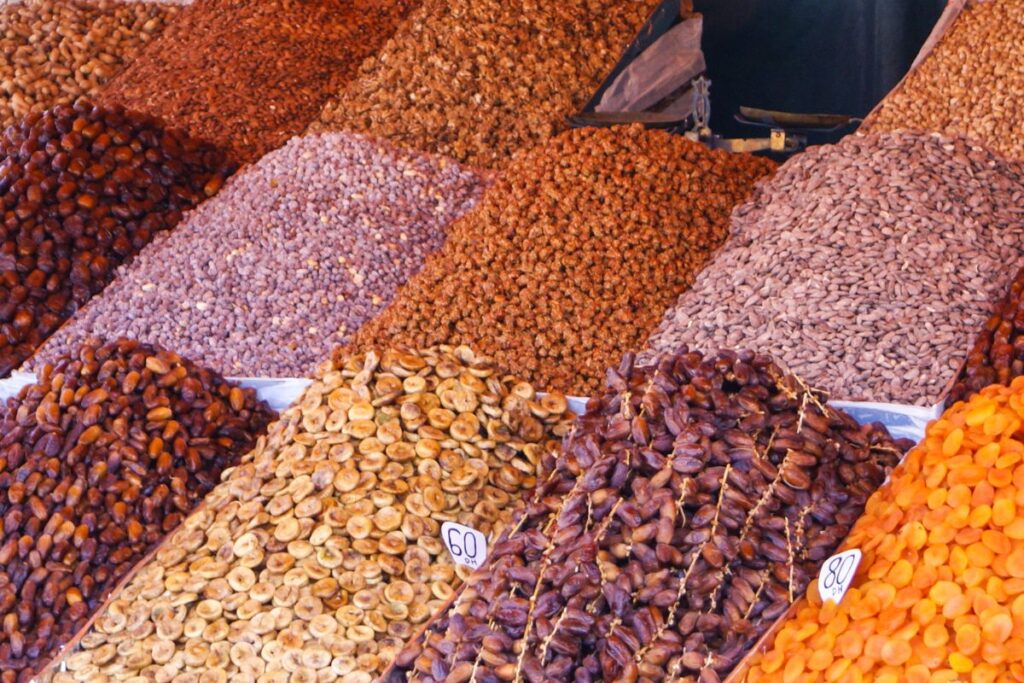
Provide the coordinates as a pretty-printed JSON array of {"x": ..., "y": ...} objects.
[{"x": 866, "y": 268}]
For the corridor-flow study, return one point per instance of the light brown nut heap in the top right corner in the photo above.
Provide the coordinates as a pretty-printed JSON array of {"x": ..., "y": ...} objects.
[{"x": 971, "y": 84}]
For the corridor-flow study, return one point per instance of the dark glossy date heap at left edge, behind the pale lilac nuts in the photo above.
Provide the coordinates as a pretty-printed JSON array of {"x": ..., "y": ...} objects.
[{"x": 82, "y": 190}]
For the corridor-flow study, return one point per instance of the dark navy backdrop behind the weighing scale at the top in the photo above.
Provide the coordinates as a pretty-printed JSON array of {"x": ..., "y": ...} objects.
[{"x": 813, "y": 57}]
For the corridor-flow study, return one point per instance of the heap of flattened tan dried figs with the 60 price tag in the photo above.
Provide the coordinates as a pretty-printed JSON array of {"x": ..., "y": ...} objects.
[{"x": 318, "y": 557}]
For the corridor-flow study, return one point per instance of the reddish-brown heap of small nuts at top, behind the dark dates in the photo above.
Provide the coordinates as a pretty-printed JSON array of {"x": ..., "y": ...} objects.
[{"x": 250, "y": 74}]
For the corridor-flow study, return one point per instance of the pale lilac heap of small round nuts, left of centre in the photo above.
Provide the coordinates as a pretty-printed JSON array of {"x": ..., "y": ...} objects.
[{"x": 330, "y": 225}]
